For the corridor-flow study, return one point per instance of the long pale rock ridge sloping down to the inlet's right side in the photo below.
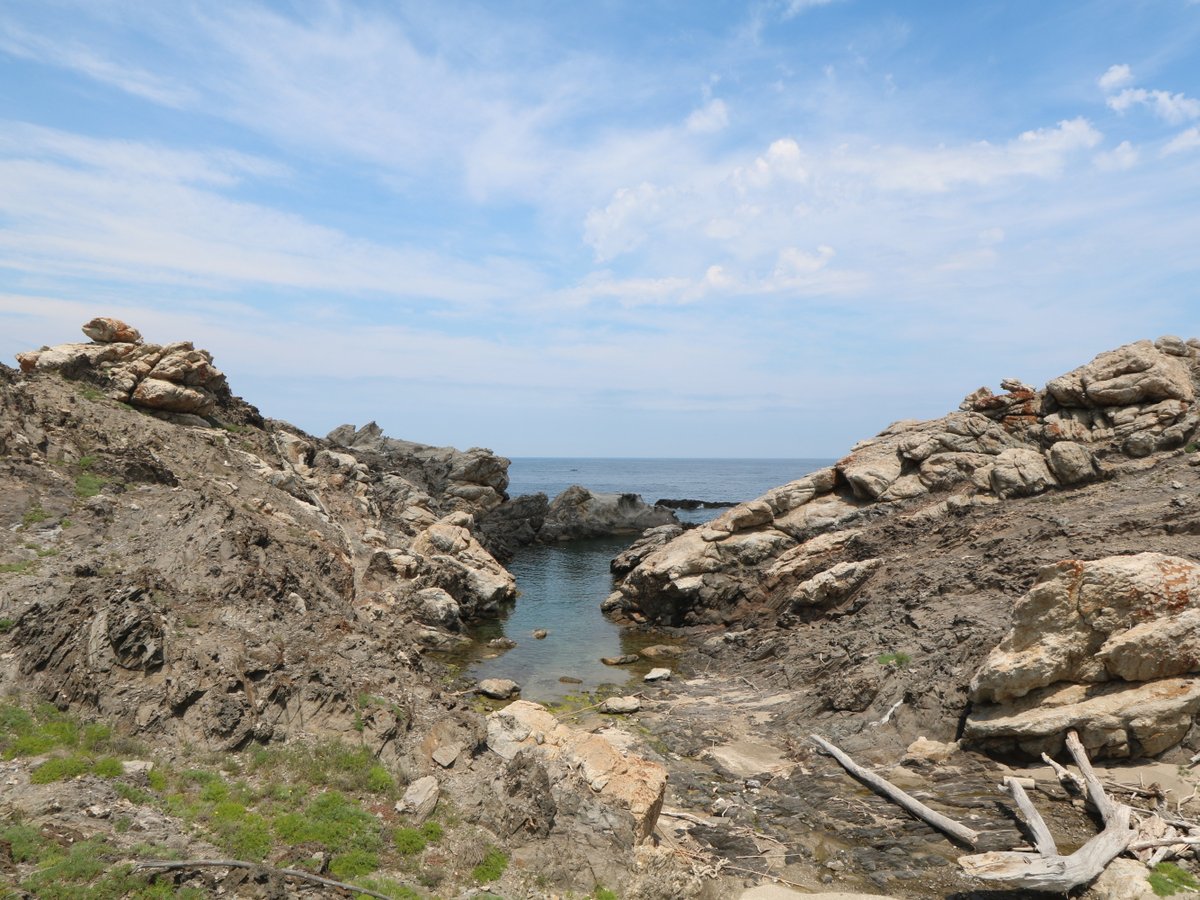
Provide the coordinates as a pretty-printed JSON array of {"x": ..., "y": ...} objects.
[{"x": 1125, "y": 405}]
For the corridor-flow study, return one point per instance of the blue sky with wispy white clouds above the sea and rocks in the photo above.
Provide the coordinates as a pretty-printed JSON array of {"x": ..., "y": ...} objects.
[{"x": 608, "y": 229}]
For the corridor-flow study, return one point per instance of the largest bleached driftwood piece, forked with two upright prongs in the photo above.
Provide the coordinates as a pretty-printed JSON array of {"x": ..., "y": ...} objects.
[{"x": 1047, "y": 871}]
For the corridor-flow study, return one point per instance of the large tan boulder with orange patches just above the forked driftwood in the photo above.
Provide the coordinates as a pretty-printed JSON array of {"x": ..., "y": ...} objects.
[{"x": 1127, "y": 626}]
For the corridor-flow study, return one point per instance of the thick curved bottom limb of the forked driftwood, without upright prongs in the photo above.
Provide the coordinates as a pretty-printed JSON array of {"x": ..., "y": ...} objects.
[{"x": 1057, "y": 874}]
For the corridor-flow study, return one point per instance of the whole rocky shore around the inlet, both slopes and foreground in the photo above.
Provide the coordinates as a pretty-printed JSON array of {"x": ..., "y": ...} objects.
[{"x": 254, "y": 627}]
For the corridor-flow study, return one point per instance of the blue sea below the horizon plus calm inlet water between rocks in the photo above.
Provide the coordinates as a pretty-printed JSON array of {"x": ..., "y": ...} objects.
[{"x": 562, "y": 586}]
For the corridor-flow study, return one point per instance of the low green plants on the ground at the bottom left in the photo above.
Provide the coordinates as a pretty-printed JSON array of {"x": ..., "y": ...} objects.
[{"x": 325, "y": 807}]
